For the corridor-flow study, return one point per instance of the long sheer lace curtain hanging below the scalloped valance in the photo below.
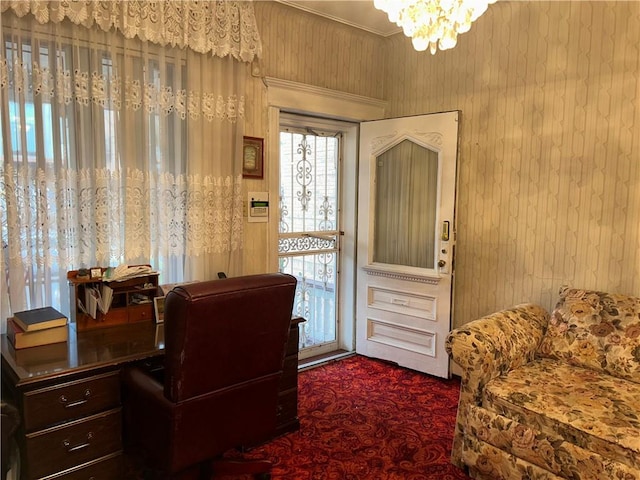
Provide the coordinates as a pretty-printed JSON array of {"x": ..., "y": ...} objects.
[{"x": 114, "y": 150}]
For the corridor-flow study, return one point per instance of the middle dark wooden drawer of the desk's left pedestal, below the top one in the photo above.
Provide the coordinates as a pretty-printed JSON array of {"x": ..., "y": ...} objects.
[{"x": 74, "y": 443}]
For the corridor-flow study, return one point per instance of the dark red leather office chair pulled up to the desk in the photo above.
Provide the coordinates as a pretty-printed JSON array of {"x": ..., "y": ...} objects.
[{"x": 224, "y": 352}]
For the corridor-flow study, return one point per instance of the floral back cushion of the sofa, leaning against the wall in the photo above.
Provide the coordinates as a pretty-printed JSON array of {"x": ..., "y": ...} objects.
[{"x": 596, "y": 330}]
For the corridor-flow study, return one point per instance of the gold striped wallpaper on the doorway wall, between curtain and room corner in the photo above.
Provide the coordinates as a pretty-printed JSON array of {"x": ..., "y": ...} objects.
[{"x": 308, "y": 49}]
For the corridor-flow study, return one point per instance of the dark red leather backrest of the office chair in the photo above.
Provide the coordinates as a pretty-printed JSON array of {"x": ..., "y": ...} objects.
[{"x": 222, "y": 333}]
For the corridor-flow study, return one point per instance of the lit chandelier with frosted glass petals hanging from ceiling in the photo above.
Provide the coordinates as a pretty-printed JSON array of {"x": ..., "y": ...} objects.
[{"x": 433, "y": 23}]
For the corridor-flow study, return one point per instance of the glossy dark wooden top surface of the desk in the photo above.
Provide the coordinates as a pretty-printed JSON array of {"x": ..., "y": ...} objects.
[{"x": 87, "y": 350}]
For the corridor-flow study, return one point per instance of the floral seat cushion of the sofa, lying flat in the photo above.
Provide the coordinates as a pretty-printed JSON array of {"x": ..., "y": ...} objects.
[{"x": 590, "y": 409}]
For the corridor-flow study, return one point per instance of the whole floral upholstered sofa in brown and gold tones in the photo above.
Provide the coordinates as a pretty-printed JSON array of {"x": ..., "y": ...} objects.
[{"x": 551, "y": 396}]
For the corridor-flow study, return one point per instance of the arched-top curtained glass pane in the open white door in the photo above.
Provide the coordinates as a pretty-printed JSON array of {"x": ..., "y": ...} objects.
[{"x": 405, "y": 206}]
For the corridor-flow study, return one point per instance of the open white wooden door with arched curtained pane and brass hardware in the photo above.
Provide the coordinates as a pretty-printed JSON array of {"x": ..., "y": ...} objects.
[{"x": 407, "y": 183}]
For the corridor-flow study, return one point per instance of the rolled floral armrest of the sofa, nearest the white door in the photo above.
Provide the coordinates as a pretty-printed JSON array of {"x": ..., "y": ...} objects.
[{"x": 488, "y": 347}]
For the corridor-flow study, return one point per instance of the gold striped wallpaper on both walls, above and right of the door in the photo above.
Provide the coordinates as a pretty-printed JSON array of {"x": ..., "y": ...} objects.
[{"x": 549, "y": 167}]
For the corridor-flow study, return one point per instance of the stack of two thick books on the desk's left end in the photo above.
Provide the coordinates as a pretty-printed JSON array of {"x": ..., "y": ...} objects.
[{"x": 33, "y": 328}]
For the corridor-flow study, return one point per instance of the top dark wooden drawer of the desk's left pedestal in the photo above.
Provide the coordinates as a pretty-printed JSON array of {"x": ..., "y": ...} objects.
[{"x": 52, "y": 405}]
